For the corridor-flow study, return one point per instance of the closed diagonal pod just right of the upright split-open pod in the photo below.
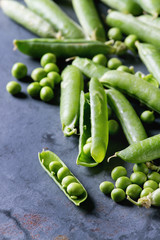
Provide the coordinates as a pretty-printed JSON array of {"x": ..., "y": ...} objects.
[{"x": 130, "y": 122}]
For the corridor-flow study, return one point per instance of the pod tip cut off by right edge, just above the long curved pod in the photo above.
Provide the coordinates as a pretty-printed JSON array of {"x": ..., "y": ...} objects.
[{"x": 150, "y": 56}]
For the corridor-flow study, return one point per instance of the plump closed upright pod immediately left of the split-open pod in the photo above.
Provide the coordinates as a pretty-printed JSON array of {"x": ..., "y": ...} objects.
[{"x": 71, "y": 86}]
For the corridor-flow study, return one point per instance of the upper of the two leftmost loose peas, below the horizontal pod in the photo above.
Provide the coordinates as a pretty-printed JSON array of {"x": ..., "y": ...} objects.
[{"x": 19, "y": 70}]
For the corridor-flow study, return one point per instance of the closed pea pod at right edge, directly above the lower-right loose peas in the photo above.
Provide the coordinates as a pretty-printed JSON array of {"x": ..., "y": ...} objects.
[{"x": 142, "y": 151}]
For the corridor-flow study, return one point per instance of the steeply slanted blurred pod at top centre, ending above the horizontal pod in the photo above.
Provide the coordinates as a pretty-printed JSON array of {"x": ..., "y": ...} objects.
[{"x": 89, "y": 19}]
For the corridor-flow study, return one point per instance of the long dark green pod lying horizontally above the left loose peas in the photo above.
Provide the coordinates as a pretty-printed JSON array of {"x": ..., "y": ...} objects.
[{"x": 63, "y": 48}]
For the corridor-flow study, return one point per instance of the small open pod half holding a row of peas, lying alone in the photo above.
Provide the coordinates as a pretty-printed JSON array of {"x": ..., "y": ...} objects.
[{"x": 46, "y": 159}]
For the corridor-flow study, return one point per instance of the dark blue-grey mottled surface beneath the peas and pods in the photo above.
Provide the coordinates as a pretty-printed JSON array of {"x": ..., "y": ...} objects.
[{"x": 31, "y": 205}]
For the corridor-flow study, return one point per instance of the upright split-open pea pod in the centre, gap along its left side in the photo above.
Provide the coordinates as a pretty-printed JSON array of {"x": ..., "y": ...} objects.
[{"x": 94, "y": 124}]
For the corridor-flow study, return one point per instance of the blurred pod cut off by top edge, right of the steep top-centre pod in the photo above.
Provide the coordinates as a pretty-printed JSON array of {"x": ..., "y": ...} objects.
[{"x": 125, "y": 6}]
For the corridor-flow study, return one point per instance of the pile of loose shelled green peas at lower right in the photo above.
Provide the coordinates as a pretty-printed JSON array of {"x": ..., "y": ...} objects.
[{"x": 140, "y": 184}]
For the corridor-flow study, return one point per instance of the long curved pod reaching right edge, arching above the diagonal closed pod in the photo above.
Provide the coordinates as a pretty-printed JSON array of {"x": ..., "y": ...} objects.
[{"x": 134, "y": 86}]
